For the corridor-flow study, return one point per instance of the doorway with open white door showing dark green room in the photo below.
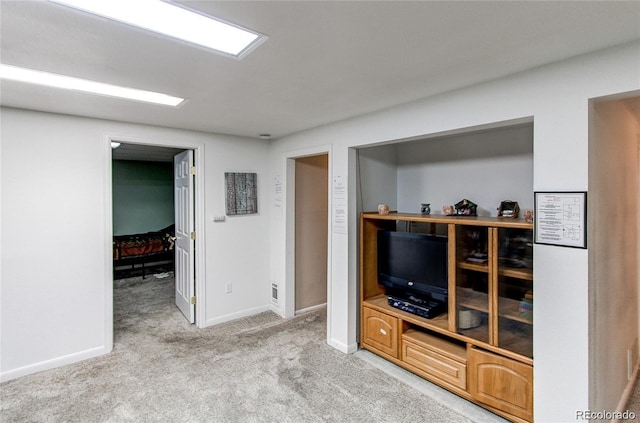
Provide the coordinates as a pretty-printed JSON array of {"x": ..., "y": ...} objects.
[{"x": 153, "y": 224}]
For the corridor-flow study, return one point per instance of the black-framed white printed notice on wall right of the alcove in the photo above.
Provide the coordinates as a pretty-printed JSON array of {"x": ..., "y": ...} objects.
[{"x": 561, "y": 218}]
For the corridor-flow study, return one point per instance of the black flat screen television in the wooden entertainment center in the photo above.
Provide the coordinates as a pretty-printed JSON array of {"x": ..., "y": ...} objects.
[{"x": 413, "y": 264}]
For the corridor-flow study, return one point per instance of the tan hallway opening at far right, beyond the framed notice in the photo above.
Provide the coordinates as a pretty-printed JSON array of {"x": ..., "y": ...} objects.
[{"x": 614, "y": 248}]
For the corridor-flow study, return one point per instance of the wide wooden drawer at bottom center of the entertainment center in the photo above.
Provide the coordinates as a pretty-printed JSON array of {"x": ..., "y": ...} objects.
[{"x": 435, "y": 364}]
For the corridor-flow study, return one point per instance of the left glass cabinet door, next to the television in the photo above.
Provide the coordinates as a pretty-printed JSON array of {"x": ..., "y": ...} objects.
[{"x": 472, "y": 281}]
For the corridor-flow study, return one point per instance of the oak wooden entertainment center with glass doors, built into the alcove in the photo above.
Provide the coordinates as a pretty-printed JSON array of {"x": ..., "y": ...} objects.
[{"x": 481, "y": 348}]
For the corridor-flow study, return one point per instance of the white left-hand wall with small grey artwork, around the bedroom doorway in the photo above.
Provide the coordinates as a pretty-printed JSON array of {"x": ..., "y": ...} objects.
[{"x": 56, "y": 222}]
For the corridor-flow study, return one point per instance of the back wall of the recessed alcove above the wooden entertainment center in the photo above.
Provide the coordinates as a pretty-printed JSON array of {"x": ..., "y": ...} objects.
[{"x": 486, "y": 168}]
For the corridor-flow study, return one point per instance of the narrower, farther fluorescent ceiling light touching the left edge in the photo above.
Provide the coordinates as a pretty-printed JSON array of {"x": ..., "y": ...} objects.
[{"x": 67, "y": 82}]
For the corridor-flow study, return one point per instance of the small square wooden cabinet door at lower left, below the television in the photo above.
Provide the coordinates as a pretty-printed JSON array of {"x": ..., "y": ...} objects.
[{"x": 380, "y": 331}]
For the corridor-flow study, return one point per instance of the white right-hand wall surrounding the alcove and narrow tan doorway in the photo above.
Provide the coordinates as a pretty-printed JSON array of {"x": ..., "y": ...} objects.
[{"x": 556, "y": 97}]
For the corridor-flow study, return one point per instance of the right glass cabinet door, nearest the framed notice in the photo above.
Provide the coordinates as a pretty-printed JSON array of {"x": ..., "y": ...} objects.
[{"x": 515, "y": 290}]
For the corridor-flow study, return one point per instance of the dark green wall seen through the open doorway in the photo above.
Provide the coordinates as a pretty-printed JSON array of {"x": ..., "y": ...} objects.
[{"x": 142, "y": 196}]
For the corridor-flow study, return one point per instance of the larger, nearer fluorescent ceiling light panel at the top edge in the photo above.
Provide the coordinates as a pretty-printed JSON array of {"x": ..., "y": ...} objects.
[{"x": 174, "y": 21}]
